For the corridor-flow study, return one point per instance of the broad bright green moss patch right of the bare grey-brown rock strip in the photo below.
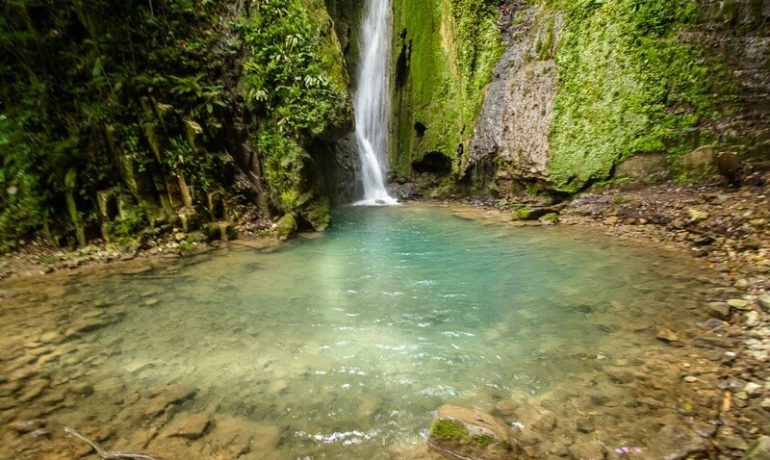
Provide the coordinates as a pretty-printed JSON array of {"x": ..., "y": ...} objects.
[{"x": 629, "y": 83}]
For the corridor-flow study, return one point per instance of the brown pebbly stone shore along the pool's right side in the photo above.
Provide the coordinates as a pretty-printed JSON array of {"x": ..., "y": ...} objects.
[{"x": 728, "y": 231}]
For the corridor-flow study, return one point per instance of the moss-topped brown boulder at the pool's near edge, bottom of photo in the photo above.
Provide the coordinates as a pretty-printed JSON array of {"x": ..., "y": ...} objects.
[{"x": 458, "y": 432}]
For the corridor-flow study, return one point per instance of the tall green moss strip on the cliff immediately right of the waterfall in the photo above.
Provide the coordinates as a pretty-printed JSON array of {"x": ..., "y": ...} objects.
[{"x": 444, "y": 51}]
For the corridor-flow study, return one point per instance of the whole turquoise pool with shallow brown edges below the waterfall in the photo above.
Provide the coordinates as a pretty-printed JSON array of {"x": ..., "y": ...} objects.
[{"x": 343, "y": 346}]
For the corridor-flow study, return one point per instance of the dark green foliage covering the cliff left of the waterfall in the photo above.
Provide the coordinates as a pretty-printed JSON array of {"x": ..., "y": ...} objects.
[{"x": 110, "y": 90}]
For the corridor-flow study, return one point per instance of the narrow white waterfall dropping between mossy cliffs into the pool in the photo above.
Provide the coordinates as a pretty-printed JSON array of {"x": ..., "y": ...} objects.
[{"x": 371, "y": 102}]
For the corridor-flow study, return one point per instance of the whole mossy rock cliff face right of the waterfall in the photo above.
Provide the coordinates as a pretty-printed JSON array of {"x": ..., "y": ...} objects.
[{"x": 580, "y": 87}]
